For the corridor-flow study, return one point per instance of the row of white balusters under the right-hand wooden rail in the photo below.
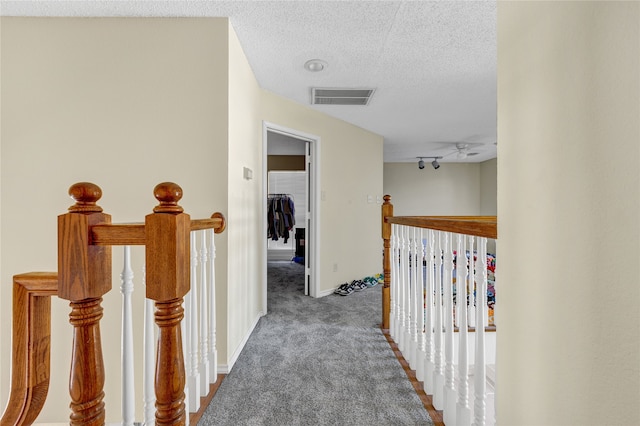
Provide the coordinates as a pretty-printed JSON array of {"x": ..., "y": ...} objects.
[{"x": 423, "y": 318}]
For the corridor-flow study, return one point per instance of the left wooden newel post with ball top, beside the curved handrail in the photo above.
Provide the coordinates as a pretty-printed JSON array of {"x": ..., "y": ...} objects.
[{"x": 84, "y": 276}]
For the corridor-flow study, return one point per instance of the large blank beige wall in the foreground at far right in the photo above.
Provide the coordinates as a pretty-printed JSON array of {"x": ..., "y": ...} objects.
[{"x": 568, "y": 203}]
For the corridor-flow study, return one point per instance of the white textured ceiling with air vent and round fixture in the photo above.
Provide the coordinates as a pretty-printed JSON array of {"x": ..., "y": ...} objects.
[{"x": 432, "y": 63}]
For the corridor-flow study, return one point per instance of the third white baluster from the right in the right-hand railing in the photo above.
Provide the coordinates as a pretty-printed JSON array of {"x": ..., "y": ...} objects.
[{"x": 449, "y": 402}]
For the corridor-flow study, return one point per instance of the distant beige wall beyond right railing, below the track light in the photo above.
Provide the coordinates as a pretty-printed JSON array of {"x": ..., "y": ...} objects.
[{"x": 453, "y": 189}]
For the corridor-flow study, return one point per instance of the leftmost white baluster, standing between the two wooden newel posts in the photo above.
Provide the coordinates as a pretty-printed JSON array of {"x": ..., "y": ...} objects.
[{"x": 126, "y": 349}]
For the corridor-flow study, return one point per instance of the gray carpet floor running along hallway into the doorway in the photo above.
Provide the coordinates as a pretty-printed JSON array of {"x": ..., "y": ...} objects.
[{"x": 316, "y": 362}]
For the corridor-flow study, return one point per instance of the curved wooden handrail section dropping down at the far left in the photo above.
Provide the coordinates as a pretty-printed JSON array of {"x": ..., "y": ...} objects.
[{"x": 30, "y": 369}]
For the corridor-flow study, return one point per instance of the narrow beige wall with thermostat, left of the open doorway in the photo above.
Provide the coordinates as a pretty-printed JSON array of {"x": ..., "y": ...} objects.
[{"x": 244, "y": 304}]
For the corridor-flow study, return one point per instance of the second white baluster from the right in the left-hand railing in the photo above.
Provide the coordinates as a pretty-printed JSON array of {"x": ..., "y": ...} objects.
[{"x": 204, "y": 369}]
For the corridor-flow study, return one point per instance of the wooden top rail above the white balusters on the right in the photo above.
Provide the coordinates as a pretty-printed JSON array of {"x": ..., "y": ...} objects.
[{"x": 480, "y": 226}]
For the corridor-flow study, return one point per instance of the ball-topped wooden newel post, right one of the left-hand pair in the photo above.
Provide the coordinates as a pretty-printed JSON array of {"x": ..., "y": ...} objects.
[{"x": 167, "y": 233}]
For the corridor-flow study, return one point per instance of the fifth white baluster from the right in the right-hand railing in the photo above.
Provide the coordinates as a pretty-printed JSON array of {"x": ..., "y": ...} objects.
[{"x": 429, "y": 367}]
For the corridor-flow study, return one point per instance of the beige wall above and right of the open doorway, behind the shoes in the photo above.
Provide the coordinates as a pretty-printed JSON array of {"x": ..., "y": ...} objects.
[{"x": 351, "y": 169}]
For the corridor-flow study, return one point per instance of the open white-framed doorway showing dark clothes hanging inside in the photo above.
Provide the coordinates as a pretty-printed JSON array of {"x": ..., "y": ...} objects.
[{"x": 290, "y": 198}]
